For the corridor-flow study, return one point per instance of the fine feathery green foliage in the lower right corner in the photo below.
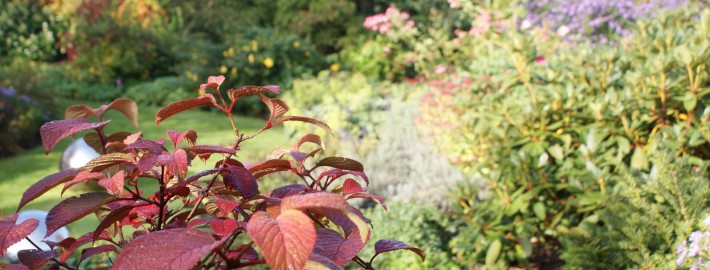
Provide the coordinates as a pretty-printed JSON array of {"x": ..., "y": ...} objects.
[{"x": 646, "y": 220}]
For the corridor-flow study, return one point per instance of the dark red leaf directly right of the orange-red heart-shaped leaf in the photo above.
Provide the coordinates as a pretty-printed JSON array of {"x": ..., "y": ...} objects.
[{"x": 333, "y": 246}]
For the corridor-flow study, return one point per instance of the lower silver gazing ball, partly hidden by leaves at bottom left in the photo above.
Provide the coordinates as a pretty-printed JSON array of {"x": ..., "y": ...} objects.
[{"x": 37, "y": 236}]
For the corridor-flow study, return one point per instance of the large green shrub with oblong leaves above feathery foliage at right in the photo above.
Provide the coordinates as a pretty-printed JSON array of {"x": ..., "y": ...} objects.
[{"x": 552, "y": 137}]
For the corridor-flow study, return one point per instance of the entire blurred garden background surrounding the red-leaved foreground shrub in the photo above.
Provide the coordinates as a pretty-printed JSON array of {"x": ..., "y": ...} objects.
[{"x": 506, "y": 133}]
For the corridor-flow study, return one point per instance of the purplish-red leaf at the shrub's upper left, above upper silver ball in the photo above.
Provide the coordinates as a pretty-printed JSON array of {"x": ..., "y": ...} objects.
[{"x": 54, "y": 131}]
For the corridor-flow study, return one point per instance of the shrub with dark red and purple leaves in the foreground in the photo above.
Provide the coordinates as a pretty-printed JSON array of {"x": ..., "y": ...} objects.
[{"x": 217, "y": 218}]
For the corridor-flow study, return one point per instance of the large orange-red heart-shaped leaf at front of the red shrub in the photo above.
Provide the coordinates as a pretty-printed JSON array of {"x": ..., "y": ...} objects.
[{"x": 287, "y": 241}]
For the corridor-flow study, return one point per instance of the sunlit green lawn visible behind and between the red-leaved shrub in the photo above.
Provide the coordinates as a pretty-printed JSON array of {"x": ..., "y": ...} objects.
[{"x": 19, "y": 172}]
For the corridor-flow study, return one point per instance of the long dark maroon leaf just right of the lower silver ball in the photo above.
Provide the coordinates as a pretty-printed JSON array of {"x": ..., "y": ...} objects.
[{"x": 75, "y": 208}]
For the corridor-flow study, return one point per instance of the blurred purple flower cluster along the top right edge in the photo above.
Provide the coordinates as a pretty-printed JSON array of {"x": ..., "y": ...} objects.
[{"x": 594, "y": 20}]
